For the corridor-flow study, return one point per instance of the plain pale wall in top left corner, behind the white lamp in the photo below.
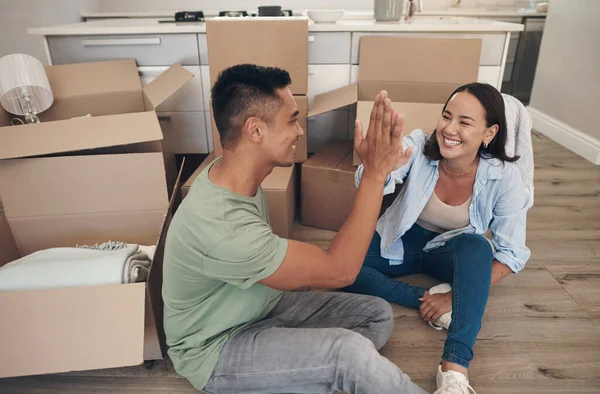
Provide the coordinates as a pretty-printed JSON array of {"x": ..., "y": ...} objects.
[{"x": 16, "y": 16}]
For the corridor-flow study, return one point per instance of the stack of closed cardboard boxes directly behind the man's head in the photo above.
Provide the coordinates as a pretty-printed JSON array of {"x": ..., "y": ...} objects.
[{"x": 280, "y": 43}]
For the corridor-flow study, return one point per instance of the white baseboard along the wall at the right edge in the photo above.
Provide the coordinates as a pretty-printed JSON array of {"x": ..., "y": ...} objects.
[{"x": 582, "y": 144}]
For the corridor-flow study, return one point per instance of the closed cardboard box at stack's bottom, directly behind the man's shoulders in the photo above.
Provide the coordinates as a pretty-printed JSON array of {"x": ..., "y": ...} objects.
[{"x": 280, "y": 193}]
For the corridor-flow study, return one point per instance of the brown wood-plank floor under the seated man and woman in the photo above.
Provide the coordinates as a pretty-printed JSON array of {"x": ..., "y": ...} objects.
[{"x": 541, "y": 330}]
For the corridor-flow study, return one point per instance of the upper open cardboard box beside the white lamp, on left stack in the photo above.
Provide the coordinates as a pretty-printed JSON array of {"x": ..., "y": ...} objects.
[{"x": 123, "y": 117}]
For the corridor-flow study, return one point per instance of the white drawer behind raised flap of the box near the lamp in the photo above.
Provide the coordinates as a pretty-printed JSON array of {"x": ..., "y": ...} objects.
[{"x": 188, "y": 98}]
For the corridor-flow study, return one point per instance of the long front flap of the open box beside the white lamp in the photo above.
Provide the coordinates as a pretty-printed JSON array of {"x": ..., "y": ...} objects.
[{"x": 78, "y": 134}]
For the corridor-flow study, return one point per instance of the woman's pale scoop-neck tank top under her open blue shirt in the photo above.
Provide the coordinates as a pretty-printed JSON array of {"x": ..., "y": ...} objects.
[{"x": 440, "y": 217}]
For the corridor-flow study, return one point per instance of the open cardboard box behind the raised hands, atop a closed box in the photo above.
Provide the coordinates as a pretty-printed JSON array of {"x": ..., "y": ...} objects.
[{"x": 418, "y": 73}]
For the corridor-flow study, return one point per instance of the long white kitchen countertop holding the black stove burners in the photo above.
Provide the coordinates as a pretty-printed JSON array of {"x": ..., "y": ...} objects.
[{"x": 153, "y": 26}]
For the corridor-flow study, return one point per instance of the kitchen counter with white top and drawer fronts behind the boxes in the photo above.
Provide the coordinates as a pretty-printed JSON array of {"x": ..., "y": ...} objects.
[{"x": 333, "y": 61}]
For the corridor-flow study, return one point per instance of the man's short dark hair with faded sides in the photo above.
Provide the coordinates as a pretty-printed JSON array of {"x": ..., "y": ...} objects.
[{"x": 243, "y": 91}]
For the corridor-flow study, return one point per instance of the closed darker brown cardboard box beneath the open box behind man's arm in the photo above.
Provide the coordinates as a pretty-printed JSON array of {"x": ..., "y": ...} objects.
[{"x": 328, "y": 188}]
